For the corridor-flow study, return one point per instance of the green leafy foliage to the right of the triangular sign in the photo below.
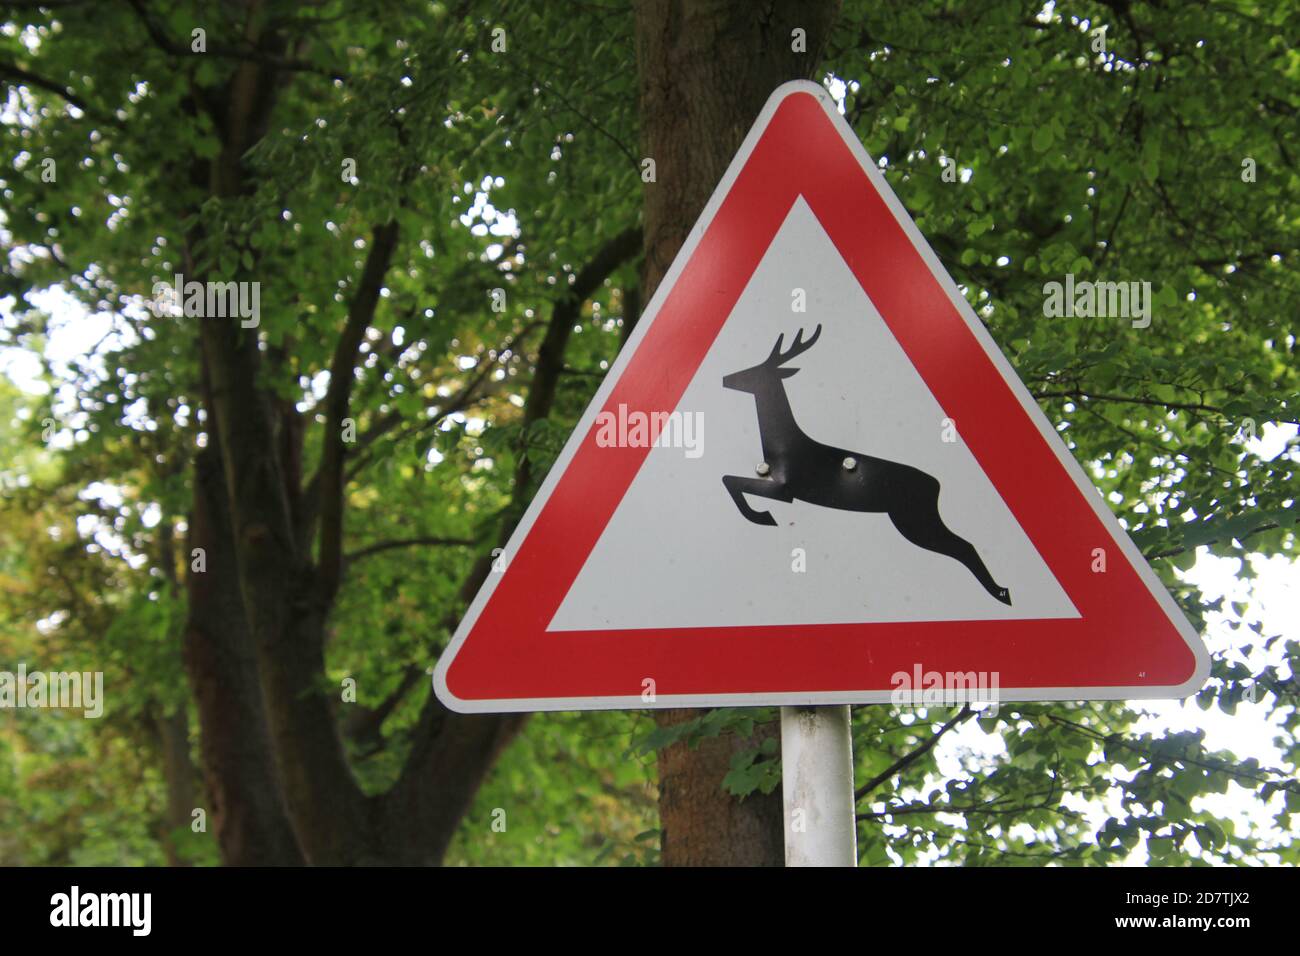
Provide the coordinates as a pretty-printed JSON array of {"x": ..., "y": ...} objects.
[{"x": 1124, "y": 166}]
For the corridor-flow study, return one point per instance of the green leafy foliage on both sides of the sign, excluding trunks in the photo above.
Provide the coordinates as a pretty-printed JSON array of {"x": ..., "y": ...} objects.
[{"x": 509, "y": 172}]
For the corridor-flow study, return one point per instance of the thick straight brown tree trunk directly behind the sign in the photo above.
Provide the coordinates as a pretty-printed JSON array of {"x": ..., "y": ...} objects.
[{"x": 707, "y": 68}]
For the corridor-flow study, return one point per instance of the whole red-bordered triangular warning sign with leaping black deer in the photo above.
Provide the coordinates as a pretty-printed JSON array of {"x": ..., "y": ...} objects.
[{"x": 848, "y": 488}]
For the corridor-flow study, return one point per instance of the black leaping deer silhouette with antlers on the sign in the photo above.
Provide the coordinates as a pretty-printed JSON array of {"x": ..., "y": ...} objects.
[{"x": 798, "y": 468}]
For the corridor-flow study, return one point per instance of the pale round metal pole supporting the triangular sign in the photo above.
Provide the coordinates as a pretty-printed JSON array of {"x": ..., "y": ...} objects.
[{"x": 817, "y": 781}]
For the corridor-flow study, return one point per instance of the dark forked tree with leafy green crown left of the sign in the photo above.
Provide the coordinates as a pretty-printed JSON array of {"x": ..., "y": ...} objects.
[{"x": 283, "y": 414}]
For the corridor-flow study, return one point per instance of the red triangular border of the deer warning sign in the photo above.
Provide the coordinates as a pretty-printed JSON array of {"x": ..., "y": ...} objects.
[{"x": 1130, "y": 641}]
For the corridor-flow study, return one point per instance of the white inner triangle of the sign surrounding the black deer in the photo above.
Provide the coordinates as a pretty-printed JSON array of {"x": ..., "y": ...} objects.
[{"x": 678, "y": 553}]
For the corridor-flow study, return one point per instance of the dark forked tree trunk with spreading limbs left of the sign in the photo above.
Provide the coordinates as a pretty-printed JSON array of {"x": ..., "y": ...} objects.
[{"x": 278, "y": 771}]
